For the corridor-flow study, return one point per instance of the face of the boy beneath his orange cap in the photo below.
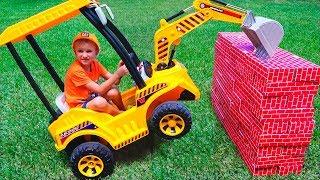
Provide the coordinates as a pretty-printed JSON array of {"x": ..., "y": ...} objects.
[{"x": 85, "y": 51}]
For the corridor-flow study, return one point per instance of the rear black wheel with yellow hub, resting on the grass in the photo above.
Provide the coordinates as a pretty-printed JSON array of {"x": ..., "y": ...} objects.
[{"x": 91, "y": 160}]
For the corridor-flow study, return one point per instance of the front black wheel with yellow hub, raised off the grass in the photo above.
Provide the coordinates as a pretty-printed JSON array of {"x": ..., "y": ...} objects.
[{"x": 170, "y": 120}]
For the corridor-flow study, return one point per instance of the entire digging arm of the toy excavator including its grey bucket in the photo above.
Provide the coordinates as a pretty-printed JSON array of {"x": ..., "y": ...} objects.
[{"x": 169, "y": 35}]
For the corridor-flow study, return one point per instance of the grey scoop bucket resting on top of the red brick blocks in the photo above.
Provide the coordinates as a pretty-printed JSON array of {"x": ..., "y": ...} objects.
[{"x": 265, "y": 34}]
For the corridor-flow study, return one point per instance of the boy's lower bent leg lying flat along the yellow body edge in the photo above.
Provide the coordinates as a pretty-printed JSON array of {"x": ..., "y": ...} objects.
[{"x": 101, "y": 104}]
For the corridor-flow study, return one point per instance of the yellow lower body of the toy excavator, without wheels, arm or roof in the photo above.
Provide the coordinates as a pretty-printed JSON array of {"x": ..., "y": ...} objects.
[{"x": 131, "y": 125}]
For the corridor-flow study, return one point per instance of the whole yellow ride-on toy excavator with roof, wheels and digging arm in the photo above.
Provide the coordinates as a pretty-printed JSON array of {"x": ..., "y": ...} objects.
[{"x": 153, "y": 102}]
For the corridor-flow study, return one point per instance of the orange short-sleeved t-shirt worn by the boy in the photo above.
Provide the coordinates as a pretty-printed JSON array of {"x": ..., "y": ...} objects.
[{"x": 75, "y": 91}]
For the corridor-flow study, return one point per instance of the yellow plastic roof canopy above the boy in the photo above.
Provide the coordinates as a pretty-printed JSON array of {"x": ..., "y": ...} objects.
[{"x": 42, "y": 21}]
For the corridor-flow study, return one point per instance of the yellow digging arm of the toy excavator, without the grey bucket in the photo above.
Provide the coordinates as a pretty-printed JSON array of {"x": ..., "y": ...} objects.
[{"x": 205, "y": 10}]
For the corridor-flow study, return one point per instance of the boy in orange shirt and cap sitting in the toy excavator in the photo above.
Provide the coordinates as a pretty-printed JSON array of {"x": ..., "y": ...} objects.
[{"x": 81, "y": 87}]
